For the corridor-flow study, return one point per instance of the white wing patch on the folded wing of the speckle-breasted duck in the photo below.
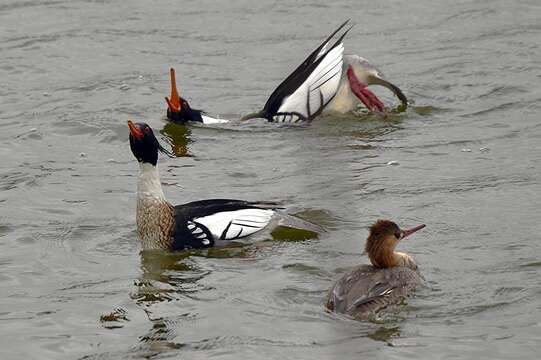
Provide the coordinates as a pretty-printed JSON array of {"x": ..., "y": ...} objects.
[{"x": 230, "y": 225}]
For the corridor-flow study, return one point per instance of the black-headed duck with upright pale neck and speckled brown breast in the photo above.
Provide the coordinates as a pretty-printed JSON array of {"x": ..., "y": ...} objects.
[{"x": 195, "y": 225}]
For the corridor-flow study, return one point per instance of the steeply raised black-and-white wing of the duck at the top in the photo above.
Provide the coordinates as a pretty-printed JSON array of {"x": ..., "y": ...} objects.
[{"x": 304, "y": 93}]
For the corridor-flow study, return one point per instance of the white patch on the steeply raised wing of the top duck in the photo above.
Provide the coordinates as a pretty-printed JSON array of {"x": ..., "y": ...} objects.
[{"x": 318, "y": 89}]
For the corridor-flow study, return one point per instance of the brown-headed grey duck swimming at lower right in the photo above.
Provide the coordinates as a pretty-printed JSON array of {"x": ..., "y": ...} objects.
[{"x": 367, "y": 289}]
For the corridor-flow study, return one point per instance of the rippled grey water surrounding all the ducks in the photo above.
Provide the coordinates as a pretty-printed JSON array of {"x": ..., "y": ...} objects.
[{"x": 73, "y": 282}]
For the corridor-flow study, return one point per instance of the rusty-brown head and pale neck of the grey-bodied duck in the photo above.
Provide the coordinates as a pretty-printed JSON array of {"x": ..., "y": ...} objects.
[{"x": 380, "y": 245}]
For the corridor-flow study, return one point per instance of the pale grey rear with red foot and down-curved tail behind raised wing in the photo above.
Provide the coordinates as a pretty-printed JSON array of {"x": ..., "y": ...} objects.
[{"x": 358, "y": 73}]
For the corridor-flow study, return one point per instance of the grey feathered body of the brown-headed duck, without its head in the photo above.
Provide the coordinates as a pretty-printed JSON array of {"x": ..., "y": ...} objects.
[{"x": 365, "y": 290}]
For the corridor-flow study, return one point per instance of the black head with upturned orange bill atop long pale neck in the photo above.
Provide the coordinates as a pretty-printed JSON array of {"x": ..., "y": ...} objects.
[{"x": 143, "y": 143}]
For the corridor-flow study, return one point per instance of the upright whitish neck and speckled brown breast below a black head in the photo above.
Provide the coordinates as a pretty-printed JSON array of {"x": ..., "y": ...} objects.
[{"x": 155, "y": 216}]
